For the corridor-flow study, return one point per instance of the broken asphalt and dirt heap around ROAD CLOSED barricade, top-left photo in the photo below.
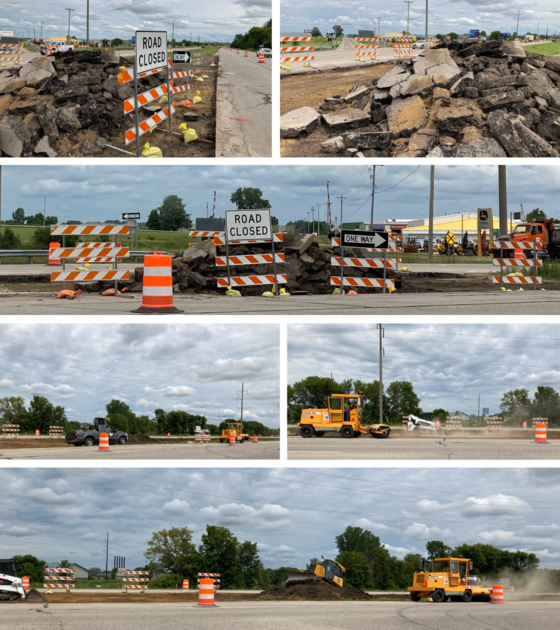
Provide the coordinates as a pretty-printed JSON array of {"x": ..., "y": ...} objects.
[{"x": 71, "y": 104}]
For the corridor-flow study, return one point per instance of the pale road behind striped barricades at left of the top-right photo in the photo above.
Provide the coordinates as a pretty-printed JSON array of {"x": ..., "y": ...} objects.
[{"x": 342, "y": 57}]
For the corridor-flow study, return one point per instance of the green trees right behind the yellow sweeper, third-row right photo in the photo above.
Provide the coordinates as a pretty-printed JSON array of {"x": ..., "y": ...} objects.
[{"x": 399, "y": 399}]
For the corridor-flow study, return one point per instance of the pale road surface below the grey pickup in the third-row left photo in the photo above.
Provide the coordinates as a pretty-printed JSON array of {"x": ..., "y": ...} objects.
[{"x": 247, "y": 451}]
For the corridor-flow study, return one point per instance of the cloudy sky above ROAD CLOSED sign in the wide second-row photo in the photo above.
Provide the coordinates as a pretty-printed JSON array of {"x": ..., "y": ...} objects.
[{"x": 99, "y": 193}]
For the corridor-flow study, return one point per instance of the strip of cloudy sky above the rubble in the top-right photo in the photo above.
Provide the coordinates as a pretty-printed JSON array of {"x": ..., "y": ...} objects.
[{"x": 445, "y": 16}]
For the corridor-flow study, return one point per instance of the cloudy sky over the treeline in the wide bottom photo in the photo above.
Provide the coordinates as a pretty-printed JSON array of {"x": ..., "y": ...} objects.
[{"x": 273, "y": 507}]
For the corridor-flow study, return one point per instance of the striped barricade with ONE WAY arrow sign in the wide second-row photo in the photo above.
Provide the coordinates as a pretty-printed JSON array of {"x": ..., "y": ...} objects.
[{"x": 362, "y": 240}]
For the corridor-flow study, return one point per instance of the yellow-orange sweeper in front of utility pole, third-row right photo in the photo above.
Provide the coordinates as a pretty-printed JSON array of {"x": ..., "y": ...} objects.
[{"x": 344, "y": 415}]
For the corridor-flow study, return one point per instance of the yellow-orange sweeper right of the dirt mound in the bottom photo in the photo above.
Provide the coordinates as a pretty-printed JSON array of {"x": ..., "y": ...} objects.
[{"x": 447, "y": 578}]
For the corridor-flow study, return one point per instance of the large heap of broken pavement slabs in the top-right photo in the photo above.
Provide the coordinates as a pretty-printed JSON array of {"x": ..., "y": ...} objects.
[{"x": 487, "y": 99}]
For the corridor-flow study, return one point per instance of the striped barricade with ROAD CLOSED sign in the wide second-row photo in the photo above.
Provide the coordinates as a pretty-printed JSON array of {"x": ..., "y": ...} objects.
[{"x": 241, "y": 225}]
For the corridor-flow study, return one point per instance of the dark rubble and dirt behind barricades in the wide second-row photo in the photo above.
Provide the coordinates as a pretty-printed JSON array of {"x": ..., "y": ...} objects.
[{"x": 308, "y": 269}]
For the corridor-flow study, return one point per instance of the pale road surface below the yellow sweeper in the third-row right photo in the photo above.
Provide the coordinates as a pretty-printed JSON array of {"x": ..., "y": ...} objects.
[{"x": 421, "y": 448}]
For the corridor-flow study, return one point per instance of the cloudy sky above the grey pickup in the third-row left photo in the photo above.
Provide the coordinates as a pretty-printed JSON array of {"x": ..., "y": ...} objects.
[{"x": 183, "y": 367}]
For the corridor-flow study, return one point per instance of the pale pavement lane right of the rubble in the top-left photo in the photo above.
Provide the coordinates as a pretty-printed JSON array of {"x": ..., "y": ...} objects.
[{"x": 243, "y": 106}]
